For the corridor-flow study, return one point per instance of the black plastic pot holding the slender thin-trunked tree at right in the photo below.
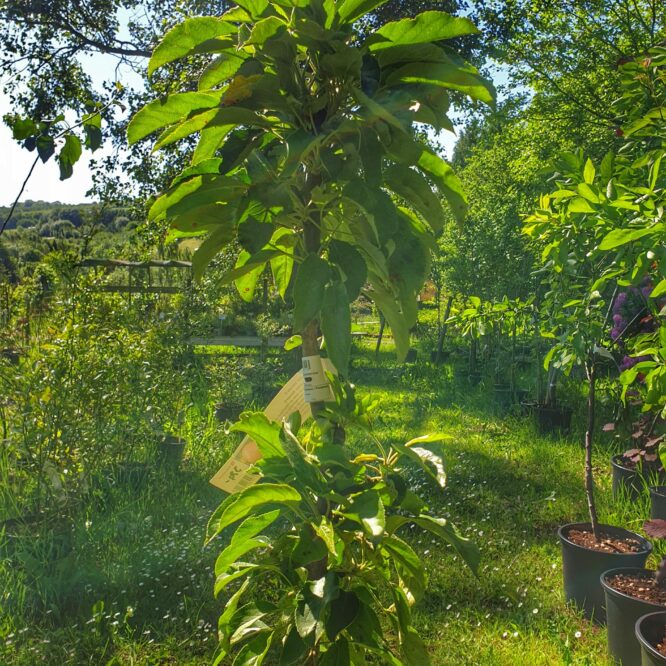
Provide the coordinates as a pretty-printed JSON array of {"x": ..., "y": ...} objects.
[{"x": 582, "y": 567}]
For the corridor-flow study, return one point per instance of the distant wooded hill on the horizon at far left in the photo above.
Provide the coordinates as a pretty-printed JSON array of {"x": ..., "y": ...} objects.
[{"x": 54, "y": 218}]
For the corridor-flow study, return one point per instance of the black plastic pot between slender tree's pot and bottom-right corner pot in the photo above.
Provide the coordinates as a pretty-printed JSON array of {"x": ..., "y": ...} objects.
[{"x": 622, "y": 613}]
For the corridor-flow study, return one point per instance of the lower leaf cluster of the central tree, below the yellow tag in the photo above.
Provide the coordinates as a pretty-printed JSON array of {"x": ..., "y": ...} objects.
[{"x": 318, "y": 589}]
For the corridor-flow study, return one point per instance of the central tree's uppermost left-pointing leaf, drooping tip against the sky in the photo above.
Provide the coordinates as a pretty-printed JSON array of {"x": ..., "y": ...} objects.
[{"x": 192, "y": 36}]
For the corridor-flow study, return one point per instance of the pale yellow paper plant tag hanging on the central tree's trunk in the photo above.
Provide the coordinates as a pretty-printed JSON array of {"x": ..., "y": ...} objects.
[{"x": 236, "y": 474}]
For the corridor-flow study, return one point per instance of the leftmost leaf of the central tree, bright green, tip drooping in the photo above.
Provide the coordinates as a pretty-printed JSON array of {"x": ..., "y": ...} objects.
[{"x": 169, "y": 110}]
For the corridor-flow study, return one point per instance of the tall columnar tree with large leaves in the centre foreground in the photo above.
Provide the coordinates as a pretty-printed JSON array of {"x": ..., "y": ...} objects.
[{"x": 307, "y": 157}]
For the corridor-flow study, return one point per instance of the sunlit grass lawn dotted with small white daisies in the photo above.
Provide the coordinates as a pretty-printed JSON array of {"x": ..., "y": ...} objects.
[{"x": 127, "y": 581}]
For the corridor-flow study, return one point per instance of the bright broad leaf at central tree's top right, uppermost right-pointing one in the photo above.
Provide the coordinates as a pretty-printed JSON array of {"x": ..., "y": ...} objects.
[{"x": 427, "y": 27}]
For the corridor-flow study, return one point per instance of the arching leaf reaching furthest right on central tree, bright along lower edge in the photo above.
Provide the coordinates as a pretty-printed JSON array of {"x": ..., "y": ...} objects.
[{"x": 446, "y": 76}]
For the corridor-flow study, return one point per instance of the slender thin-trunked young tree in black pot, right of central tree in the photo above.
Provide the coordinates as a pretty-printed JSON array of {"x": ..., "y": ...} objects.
[{"x": 578, "y": 314}]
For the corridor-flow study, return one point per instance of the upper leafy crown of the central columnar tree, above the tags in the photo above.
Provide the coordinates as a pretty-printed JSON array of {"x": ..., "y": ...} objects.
[{"x": 314, "y": 137}]
